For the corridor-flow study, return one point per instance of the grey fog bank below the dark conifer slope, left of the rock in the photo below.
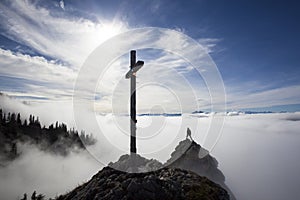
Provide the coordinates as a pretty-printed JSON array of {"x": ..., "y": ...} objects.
[{"x": 46, "y": 173}]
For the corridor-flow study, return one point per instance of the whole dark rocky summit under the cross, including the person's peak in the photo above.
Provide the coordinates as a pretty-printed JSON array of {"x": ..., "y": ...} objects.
[{"x": 186, "y": 175}]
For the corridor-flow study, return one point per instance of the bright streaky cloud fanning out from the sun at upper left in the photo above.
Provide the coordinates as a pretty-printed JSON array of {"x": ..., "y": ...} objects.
[{"x": 60, "y": 36}]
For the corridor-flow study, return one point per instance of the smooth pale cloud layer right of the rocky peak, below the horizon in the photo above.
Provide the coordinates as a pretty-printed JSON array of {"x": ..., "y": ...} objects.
[{"x": 259, "y": 156}]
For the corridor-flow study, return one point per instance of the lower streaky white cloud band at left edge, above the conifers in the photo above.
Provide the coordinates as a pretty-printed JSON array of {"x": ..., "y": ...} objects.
[{"x": 35, "y": 74}]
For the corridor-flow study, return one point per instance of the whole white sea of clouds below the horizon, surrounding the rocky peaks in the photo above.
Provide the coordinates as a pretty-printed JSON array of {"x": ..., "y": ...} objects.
[{"x": 258, "y": 153}]
